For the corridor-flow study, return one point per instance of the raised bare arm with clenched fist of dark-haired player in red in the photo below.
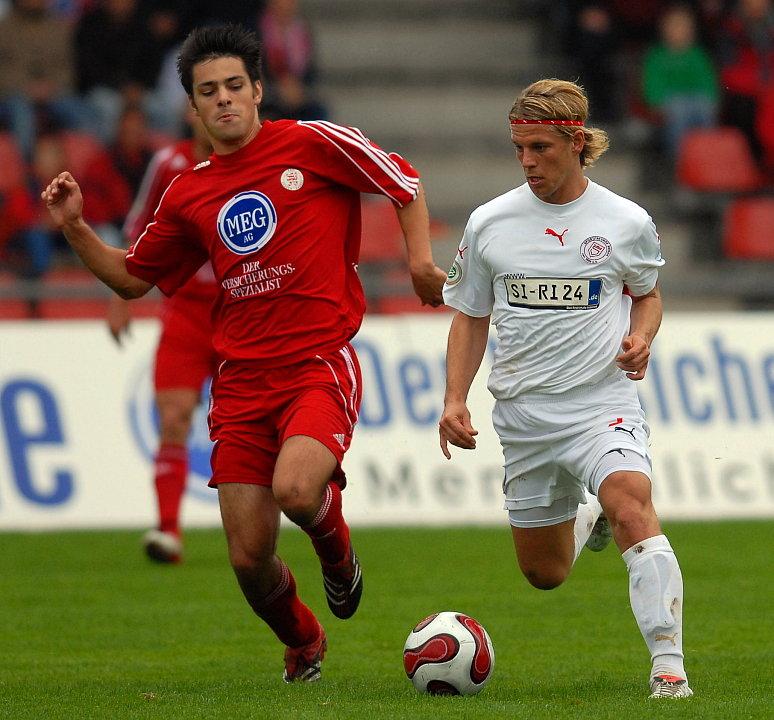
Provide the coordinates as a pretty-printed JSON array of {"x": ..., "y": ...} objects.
[{"x": 64, "y": 201}]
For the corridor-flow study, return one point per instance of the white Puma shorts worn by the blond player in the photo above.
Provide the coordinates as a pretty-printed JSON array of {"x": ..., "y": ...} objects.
[{"x": 557, "y": 446}]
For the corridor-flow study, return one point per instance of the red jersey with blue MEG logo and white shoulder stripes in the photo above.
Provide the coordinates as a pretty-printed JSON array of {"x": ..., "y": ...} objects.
[{"x": 280, "y": 221}]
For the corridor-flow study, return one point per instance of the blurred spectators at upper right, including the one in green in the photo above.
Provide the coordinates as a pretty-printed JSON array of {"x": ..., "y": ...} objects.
[{"x": 678, "y": 65}]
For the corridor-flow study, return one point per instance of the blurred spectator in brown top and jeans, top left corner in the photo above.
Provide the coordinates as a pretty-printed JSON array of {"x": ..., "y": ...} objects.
[{"x": 37, "y": 77}]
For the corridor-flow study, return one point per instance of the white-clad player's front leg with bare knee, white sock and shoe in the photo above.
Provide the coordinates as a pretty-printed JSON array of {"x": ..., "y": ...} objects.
[{"x": 655, "y": 580}]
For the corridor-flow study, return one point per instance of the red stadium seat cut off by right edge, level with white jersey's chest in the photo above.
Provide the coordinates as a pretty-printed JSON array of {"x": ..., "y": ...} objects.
[{"x": 747, "y": 229}]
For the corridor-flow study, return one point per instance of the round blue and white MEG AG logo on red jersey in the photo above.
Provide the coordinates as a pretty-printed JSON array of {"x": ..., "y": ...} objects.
[{"x": 247, "y": 222}]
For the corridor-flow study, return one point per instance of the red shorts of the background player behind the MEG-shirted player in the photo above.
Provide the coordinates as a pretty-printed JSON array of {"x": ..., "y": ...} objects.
[{"x": 184, "y": 356}]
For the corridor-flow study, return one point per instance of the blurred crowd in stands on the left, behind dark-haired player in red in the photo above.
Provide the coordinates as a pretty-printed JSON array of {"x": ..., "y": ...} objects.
[{"x": 91, "y": 86}]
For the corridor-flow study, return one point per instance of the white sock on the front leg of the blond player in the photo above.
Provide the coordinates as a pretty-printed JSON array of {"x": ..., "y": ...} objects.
[{"x": 656, "y": 595}]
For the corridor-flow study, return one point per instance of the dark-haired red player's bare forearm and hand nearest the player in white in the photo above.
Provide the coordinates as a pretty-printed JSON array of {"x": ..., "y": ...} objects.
[{"x": 426, "y": 276}]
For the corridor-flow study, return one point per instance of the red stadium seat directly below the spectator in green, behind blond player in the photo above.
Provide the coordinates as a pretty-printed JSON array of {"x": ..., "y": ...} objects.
[{"x": 717, "y": 160}]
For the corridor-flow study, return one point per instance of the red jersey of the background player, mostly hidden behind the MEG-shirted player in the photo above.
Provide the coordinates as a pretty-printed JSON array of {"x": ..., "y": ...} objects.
[{"x": 163, "y": 168}]
